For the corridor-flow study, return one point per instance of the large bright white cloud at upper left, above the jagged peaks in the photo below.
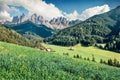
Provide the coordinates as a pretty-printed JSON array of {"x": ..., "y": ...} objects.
[{"x": 37, "y": 6}]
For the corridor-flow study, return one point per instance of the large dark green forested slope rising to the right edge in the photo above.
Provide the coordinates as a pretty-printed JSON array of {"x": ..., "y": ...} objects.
[{"x": 99, "y": 28}]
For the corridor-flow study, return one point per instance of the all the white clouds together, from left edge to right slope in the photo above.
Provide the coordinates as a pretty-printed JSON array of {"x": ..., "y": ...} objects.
[{"x": 49, "y": 11}]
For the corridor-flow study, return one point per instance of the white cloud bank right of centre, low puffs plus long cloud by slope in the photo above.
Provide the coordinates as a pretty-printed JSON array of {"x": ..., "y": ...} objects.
[{"x": 88, "y": 12}]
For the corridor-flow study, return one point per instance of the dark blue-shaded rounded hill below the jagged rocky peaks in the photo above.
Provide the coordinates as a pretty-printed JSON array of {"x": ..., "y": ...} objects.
[{"x": 28, "y": 28}]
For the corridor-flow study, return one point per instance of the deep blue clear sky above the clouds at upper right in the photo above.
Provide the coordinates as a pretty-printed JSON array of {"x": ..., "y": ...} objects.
[{"x": 80, "y": 5}]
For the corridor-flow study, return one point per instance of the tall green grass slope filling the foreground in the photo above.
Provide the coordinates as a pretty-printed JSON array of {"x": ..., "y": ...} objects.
[{"x": 22, "y": 63}]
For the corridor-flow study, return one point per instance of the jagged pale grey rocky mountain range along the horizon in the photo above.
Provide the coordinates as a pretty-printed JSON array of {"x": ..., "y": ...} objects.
[{"x": 55, "y": 23}]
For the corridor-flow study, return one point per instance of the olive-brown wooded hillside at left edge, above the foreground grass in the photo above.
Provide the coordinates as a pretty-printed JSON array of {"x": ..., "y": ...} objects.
[{"x": 10, "y": 36}]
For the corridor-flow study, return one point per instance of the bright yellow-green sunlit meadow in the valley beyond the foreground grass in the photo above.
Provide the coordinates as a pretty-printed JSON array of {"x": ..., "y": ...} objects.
[{"x": 85, "y": 52}]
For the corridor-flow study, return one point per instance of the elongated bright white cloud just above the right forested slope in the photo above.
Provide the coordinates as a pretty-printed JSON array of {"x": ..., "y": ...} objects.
[{"x": 93, "y": 11}]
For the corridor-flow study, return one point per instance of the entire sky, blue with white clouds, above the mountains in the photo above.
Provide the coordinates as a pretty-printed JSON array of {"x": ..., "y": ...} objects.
[{"x": 71, "y": 9}]
